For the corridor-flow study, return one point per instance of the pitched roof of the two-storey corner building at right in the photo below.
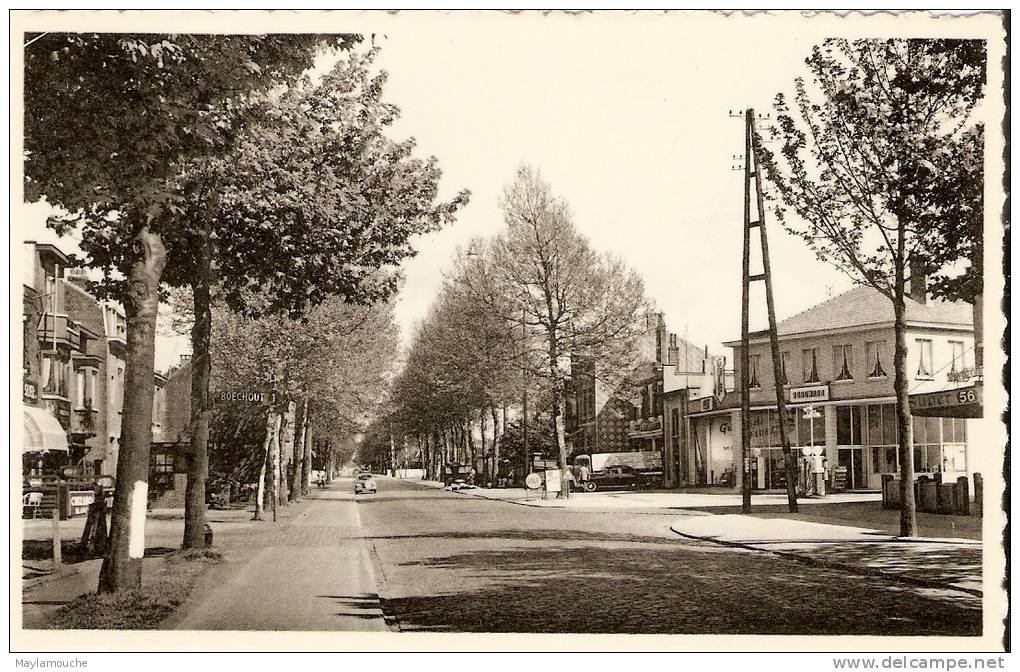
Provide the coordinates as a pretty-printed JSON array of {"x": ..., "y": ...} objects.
[{"x": 865, "y": 305}]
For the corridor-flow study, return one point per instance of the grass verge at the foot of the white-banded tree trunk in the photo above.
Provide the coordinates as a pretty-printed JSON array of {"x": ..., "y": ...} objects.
[{"x": 144, "y": 609}]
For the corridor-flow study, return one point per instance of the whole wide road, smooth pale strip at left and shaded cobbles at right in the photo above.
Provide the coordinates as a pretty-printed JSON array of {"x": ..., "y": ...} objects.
[{"x": 415, "y": 558}]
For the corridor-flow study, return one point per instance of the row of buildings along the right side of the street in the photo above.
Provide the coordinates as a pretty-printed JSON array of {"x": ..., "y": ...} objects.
[{"x": 683, "y": 406}]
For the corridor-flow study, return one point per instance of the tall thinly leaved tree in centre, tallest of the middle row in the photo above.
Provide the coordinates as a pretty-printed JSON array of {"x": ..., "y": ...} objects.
[{"x": 575, "y": 301}]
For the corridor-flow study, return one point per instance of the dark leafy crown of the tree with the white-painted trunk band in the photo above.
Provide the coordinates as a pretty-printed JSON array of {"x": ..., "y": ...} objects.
[{"x": 113, "y": 120}]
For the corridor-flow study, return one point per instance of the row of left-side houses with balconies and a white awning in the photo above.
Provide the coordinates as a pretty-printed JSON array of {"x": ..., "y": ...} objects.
[{"x": 74, "y": 364}]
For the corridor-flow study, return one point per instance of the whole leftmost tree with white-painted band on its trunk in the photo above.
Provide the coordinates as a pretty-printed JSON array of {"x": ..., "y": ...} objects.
[{"x": 111, "y": 122}]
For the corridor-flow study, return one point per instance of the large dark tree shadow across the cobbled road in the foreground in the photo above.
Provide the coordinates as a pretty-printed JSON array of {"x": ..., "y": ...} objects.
[{"x": 593, "y": 589}]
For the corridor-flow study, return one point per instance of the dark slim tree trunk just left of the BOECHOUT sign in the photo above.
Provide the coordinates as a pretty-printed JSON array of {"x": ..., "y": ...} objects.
[{"x": 198, "y": 458}]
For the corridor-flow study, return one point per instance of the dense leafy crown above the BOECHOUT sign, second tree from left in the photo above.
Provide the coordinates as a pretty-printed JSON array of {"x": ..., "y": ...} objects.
[{"x": 315, "y": 185}]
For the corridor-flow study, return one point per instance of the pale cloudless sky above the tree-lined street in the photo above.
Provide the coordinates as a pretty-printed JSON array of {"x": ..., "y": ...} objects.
[{"x": 628, "y": 118}]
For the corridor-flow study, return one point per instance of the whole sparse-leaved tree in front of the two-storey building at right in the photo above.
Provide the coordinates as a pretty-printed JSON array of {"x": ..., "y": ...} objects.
[{"x": 872, "y": 165}]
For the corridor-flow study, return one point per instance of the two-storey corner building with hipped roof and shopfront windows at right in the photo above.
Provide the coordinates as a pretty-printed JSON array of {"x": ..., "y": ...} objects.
[{"x": 837, "y": 376}]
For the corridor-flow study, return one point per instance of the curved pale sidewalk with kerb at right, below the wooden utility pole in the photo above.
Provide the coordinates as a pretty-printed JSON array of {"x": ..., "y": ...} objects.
[{"x": 938, "y": 563}]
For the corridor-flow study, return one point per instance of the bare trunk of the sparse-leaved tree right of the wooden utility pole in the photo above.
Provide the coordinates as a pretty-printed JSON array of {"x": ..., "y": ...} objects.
[{"x": 908, "y": 513}]
